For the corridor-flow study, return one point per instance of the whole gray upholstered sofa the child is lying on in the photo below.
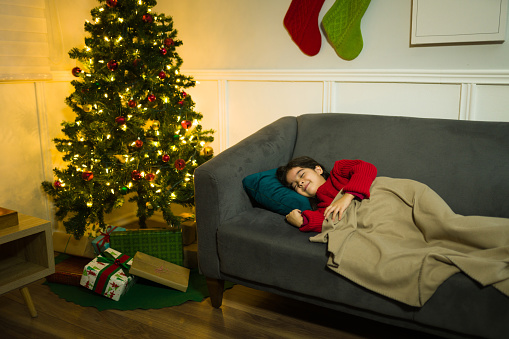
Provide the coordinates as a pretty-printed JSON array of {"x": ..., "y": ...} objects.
[{"x": 466, "y": 162}]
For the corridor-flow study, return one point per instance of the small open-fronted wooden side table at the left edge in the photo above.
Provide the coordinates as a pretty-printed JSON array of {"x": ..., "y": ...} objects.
[{"x": 26, "y": 255}]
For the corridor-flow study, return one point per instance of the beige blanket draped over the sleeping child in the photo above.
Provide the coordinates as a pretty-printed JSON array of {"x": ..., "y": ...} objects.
[{"x": 405, "y": 241}]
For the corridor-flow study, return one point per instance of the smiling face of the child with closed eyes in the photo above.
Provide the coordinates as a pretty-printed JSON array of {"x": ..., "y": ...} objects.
[{"x": 305, "y": 181}]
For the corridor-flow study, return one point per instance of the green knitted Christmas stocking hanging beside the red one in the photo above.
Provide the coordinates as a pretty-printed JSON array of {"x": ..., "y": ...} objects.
[{"x": 342, "y": 25}]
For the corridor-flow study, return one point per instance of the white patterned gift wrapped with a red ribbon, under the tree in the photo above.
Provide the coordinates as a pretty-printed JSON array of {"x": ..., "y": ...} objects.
[{"x": 108, "y": 274}]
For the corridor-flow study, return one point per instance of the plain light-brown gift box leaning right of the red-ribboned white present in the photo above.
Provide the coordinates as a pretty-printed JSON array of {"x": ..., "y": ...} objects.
[{"x": 160, "y": 271}]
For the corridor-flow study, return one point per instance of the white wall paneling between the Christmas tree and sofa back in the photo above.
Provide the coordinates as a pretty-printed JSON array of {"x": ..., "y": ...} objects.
[{"x": 249, "y": 100}]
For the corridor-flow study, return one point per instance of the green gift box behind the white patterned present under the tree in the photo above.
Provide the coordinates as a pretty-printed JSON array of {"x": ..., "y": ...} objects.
[{"x": 165, "y": 244}]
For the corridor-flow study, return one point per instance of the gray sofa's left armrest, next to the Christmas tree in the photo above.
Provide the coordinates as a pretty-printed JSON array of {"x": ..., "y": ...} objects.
[{"x": 219, "y": 194}]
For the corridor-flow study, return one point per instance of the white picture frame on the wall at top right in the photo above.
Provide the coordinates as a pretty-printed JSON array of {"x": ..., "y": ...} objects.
[{"x": 458, "y": 21}]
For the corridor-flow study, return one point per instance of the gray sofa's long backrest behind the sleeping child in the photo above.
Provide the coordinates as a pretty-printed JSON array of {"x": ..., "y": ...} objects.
[{"x": 465, "y": 162}]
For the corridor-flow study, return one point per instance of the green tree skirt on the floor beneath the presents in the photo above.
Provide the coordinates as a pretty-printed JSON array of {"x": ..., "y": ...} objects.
[{"x": 143, "y": 294}]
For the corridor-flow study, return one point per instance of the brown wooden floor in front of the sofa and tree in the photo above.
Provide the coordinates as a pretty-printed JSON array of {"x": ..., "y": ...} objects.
[{"x": 246, "y": 313}]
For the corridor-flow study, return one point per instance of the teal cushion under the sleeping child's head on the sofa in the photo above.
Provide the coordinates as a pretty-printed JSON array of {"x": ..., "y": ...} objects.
[{"x": 267, "y": 191}]
